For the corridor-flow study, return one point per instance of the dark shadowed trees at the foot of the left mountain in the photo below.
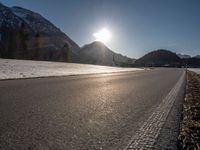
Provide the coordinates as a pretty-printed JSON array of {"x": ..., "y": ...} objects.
[{"x": 15, "y": 43}]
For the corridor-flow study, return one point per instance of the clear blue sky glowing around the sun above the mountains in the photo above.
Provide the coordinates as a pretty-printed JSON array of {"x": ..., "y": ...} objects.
[{"x": 136, "y": 26}]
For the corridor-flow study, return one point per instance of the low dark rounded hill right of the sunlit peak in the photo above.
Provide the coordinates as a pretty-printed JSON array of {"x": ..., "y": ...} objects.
[{"x": 159, "y": 58}]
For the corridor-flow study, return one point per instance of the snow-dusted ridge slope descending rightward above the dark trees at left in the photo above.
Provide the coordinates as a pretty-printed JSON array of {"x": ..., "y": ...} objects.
[{"x": 52, "y": 34}]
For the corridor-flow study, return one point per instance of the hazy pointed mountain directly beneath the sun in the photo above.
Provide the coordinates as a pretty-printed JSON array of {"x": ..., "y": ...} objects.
[{"x": 98, "y": 53}]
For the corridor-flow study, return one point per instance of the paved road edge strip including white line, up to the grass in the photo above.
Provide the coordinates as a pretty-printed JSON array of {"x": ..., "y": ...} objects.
[{"x": 157, "y": 125}]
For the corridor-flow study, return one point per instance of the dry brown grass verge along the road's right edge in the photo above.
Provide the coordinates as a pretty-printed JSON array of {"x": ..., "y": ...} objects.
[{"x": 189, "y": 137}]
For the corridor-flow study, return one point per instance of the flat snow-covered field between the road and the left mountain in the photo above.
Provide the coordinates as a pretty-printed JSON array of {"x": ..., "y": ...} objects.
[{"x": 13, "y": 69}]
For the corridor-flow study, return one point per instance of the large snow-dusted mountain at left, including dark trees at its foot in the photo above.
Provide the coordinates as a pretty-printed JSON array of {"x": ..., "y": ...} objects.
[{"x": 28, "y": 35}]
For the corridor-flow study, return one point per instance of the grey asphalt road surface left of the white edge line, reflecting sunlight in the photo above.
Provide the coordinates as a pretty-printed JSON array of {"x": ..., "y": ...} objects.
[{"x": 80, "y": 112}]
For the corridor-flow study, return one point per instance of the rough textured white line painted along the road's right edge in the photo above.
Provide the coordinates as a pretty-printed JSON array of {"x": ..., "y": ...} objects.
[{"x": 146, "y": 136}]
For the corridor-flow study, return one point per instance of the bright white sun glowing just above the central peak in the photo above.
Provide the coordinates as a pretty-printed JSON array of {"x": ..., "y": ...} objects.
[{"x": 102, "y": 35}]
